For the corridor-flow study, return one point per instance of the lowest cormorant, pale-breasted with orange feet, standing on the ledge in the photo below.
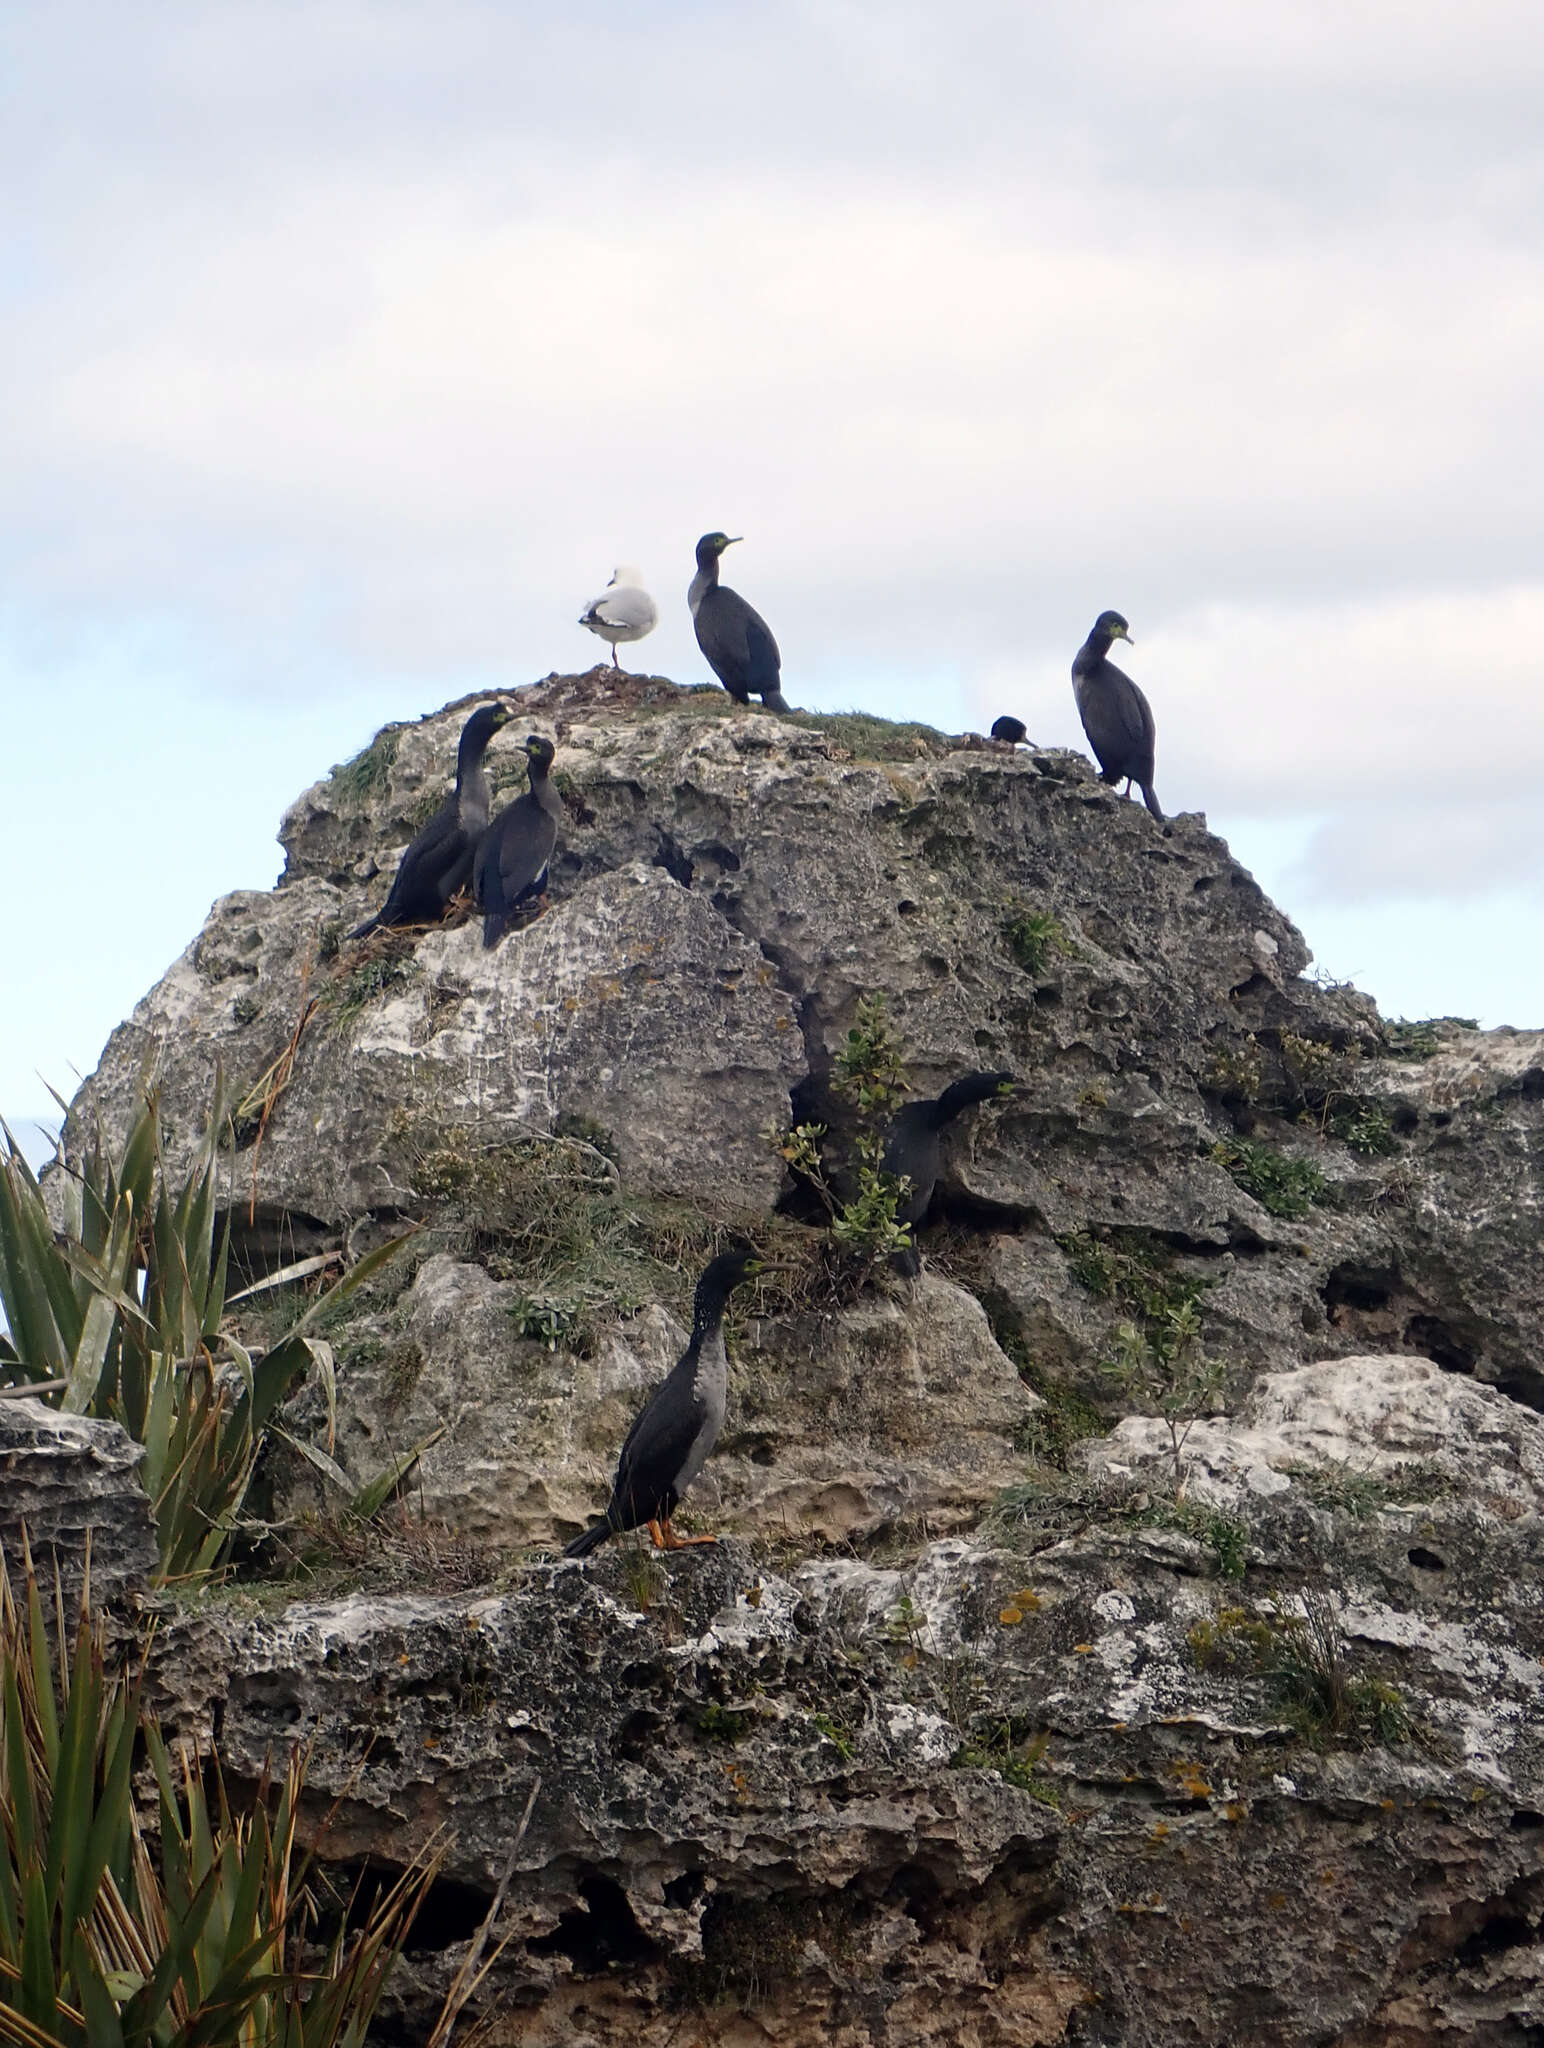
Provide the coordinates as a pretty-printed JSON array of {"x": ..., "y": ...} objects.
[{"x": 679, "y": 1424}]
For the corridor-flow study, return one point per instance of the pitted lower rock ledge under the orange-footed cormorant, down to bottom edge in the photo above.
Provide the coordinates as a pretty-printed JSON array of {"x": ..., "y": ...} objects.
[{"x": 1117, "y": 1768}]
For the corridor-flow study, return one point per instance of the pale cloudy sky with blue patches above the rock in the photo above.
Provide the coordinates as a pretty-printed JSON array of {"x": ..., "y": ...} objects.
[{"x": 347, "y": 349}]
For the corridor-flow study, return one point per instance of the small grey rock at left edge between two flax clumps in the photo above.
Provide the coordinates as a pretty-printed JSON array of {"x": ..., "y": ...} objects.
[{"x": 71, "y": 1486}]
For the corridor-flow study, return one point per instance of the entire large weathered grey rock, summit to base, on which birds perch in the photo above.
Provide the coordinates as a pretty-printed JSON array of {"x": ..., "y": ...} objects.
[{"x": 1248, "y": 1758}]
